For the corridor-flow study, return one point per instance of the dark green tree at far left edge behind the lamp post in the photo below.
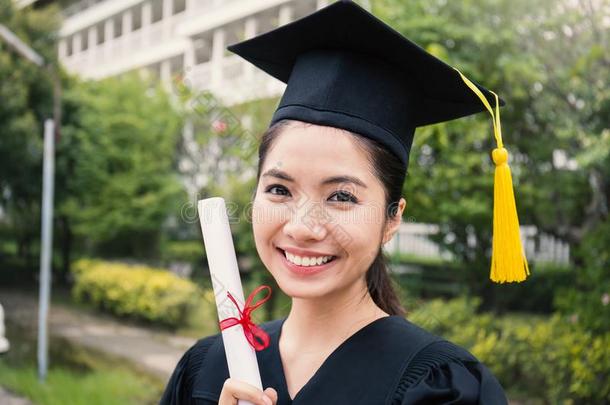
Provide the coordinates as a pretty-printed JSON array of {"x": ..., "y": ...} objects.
[{"x": 25, "y": 101}]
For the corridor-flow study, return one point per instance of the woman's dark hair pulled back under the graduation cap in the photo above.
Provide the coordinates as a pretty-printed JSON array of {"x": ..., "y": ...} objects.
[{"x": 390, "y": 171}]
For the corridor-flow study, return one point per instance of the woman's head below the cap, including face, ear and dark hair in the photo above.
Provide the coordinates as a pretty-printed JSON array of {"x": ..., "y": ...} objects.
[{"x": 340, "y": 200}]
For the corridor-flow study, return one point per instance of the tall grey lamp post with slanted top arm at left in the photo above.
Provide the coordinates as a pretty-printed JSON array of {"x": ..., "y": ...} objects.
[{"x": 51, "y": 134}]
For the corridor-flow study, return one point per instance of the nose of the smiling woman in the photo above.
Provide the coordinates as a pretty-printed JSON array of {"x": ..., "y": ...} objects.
[{"x": 308, "y": 222}]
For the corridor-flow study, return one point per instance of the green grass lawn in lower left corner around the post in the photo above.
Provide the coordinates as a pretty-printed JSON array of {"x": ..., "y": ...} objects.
[{"x": 76, "y": 376}]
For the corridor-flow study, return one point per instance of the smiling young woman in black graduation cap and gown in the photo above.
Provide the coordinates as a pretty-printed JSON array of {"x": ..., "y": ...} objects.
[{"x": 328, "y": 197}]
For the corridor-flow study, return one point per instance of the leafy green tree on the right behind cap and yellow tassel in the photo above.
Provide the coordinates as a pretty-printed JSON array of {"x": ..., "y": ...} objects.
[{"x": 546, "y": 60}]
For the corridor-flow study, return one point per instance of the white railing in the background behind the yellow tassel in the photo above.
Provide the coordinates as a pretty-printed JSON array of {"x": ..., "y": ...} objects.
[{"x": 414, "y": 239}]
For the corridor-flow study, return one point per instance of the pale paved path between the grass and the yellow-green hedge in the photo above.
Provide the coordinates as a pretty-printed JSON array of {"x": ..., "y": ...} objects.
[{"x": 156, "y": 352}]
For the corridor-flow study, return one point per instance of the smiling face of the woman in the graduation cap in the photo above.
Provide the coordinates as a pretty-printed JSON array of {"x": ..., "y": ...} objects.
[{"x": 317, "y": 197}]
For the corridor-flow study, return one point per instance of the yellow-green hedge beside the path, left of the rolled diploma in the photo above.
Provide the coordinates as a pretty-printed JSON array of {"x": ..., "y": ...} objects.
[{"x": 137, "y": 292}]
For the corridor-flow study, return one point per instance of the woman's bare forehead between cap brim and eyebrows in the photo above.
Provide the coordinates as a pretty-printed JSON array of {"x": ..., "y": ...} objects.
[{"x": 317, "y": 149}]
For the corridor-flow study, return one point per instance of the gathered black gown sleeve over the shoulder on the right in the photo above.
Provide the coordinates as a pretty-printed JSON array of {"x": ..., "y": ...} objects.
[{"x": 444, "y": 373}]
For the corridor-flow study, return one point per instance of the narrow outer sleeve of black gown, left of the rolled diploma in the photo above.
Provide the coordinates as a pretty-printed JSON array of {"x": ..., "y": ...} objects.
[{"x": 180, "y": 385}]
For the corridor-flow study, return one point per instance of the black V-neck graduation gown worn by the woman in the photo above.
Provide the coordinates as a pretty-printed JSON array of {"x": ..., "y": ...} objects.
[{"x": 390, "y": 361}]
